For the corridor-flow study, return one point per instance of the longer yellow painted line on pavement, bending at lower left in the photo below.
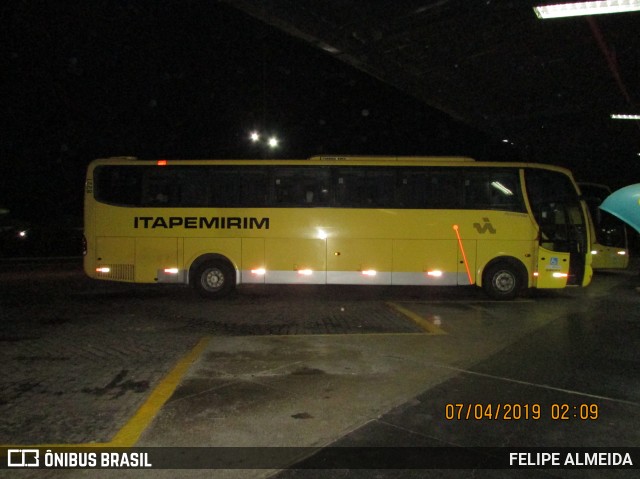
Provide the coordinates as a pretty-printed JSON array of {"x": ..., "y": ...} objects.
[{"x": 133, "y": 429}]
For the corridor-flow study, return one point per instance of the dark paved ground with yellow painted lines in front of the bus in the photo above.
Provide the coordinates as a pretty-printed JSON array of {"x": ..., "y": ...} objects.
[{"x": 95, "y": 363}]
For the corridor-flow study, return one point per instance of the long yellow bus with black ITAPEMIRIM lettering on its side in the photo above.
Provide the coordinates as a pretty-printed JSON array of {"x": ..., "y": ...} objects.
[{"x": 216, "y": 224}]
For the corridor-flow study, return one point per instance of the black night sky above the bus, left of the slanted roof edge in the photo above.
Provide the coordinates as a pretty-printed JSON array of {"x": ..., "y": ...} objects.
[{"x": 183, "y": 79}]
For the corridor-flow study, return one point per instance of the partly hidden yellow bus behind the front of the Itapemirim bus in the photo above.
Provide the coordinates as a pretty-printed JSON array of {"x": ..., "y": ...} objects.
[{"x": 609, "y": 248}]
